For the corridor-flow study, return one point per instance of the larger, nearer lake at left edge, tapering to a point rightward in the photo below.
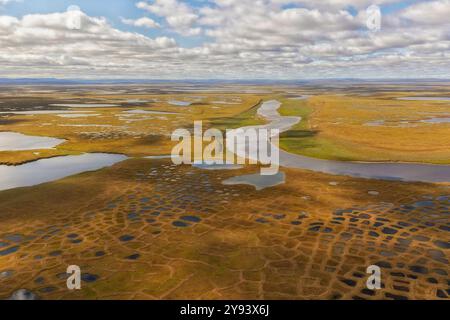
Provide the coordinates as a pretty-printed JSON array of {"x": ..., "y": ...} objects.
[{"x": 46, "y": 170}]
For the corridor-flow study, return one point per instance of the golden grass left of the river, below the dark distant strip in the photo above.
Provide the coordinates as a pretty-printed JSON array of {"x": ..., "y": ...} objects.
[{"x": 117, "y": 132}]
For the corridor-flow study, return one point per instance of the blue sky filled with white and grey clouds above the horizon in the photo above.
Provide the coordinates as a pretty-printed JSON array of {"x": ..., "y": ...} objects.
[{"x": 224, "y": 39}]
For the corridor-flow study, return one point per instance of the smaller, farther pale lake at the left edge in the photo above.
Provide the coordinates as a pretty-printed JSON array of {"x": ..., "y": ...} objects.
[{"x": 13, "y": 141}]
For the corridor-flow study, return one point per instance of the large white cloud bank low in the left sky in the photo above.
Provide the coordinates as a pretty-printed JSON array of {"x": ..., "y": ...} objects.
[{"x": 43, "y": 43}]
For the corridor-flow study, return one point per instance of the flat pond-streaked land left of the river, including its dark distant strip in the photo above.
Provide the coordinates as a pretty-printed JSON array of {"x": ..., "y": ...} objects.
[{"x": 134, "y": 124}]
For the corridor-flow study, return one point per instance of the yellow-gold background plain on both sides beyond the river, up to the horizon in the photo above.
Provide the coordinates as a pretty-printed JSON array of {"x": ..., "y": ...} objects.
[{"x": 347, "y": 124}]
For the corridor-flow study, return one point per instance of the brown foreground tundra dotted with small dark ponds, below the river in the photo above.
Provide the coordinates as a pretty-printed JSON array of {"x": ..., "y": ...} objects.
[{"x": 148, "y": 229}]
